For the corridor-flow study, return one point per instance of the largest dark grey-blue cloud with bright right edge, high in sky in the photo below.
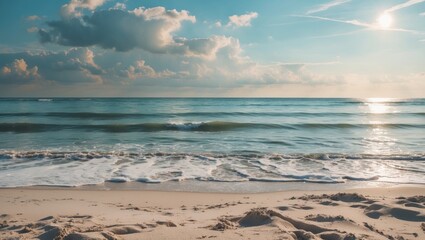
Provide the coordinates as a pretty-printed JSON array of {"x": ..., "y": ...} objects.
[{"x": 150, "y": 29}]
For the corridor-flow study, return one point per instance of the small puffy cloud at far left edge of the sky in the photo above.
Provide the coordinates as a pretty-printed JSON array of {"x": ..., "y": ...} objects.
[{"x": 18, "y": 71}]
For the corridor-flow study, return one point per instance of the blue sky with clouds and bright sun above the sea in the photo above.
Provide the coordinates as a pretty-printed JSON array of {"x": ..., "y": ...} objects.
[{"x": 220, "y": 48}]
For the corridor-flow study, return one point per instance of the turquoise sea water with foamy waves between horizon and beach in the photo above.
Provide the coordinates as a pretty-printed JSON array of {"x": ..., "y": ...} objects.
[{"x": 88, "y": 141}]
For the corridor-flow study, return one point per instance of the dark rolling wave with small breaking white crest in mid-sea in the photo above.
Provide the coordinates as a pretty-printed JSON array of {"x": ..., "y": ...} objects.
[{"x": 213, "y": 126}]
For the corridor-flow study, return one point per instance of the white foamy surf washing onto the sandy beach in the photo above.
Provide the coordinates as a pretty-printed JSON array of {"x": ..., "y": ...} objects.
[{"x": 73, "y": 168}]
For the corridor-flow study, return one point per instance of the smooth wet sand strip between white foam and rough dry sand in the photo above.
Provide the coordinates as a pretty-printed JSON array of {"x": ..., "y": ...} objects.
[{"x": 247, "y": 187}]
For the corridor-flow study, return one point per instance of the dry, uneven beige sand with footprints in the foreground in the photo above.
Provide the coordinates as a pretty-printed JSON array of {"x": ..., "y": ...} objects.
[{"x": 373, "y": 213}]
